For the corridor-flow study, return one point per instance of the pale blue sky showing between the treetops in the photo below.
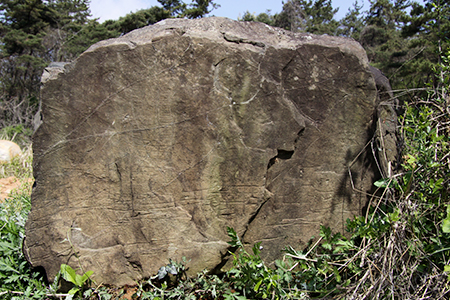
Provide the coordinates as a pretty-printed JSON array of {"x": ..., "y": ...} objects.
[{"x": 113, "y": 9}]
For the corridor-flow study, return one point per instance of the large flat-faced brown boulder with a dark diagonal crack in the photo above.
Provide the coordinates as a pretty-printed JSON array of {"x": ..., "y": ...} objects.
[{"x": 153, "y": 143}]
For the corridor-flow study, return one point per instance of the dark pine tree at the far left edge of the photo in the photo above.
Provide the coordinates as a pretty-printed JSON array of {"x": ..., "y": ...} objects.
[{"x": 23, "y": 56}]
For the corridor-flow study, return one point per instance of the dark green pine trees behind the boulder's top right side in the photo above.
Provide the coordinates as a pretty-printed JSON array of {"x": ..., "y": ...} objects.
[{"x": 402, "y": 38}]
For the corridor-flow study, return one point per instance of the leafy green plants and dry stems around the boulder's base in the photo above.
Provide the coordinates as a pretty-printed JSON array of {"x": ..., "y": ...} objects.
[{"x": 400, "y": 249}]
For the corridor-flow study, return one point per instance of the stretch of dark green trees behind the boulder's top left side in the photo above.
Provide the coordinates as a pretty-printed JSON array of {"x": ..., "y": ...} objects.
[{"x": 34, "y": 33}]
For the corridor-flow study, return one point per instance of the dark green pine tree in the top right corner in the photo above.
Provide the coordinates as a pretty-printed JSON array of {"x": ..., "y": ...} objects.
[{"x": 405, "y": 40}]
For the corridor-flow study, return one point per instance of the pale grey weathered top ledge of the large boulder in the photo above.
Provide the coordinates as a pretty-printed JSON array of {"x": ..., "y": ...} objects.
[{"x": 254, "y": 35}]
